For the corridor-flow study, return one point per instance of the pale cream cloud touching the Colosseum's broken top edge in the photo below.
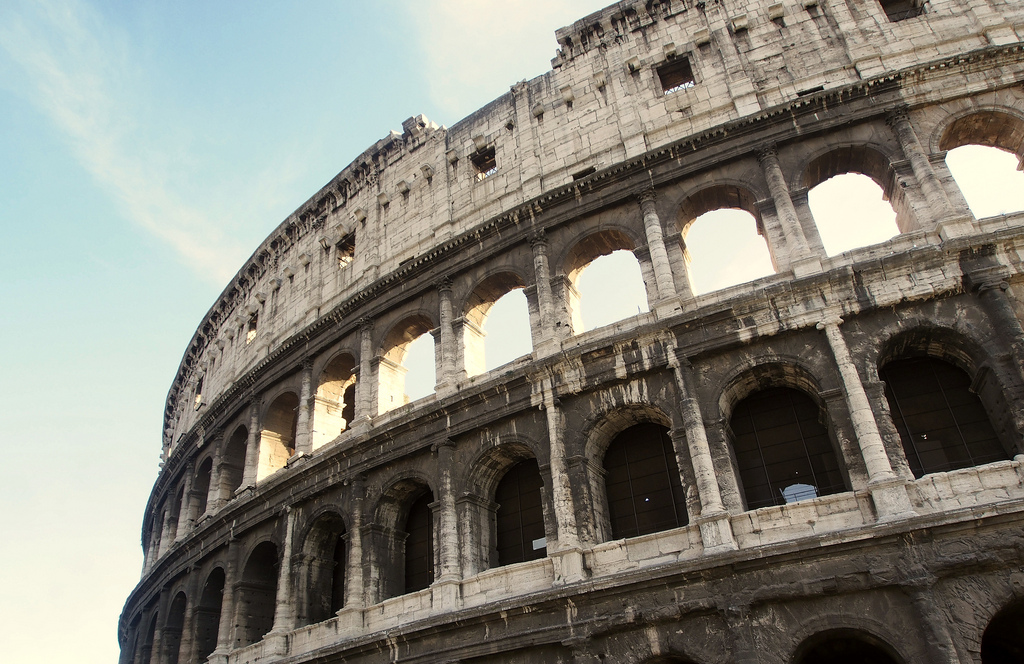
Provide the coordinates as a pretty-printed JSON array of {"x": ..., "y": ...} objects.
[{"x": 476, "y": 51}]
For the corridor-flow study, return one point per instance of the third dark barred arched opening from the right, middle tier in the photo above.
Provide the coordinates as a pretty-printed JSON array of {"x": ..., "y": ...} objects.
[{"x": 643, "y": 485}]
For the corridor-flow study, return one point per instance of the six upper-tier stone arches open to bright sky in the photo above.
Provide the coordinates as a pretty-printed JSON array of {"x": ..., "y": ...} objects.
[{"x": 721, "y": 231}]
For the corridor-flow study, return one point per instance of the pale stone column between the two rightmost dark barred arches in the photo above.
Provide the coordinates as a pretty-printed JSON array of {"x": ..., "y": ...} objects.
[{"x": 888, "y": 491}]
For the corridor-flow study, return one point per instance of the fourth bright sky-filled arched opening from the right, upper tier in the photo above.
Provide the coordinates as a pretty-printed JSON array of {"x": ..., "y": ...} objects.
[{"x": 606, "y": 284}]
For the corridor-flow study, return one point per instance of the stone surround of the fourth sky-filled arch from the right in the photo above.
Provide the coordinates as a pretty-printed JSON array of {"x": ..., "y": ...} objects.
[{"x": 585, "y": 252}]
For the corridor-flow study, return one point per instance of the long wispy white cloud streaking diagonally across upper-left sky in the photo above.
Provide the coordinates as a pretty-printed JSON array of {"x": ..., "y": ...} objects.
[{"x": 78, "y": 70}]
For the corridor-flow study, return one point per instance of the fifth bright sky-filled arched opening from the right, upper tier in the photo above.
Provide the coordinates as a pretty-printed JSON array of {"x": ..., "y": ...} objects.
[{"x": 496, "y": 325}]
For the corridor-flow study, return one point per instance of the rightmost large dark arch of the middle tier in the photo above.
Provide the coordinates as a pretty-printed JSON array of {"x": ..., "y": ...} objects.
[{"x": 944, "y": 402}]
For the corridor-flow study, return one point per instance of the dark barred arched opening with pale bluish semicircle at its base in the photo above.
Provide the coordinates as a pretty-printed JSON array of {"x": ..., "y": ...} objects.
[{"x": 784, "y": 452}]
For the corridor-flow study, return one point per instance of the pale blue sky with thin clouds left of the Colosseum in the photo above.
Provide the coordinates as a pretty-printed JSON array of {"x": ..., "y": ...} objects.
[{"x": 146, "y": 150}]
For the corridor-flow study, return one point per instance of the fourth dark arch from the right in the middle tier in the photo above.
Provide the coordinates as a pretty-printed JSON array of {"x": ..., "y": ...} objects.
[{"x": 484, "y": 512}]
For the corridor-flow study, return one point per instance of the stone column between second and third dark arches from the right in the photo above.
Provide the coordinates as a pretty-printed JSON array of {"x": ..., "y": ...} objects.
[{"x": 716, "y": 529}]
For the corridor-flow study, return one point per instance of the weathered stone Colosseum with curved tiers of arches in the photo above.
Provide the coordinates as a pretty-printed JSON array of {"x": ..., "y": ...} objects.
[{"x": 825, "y": 465}]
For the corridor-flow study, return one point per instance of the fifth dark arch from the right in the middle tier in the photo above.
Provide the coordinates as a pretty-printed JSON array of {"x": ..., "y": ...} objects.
[{"x": 404, "y": 560}]
